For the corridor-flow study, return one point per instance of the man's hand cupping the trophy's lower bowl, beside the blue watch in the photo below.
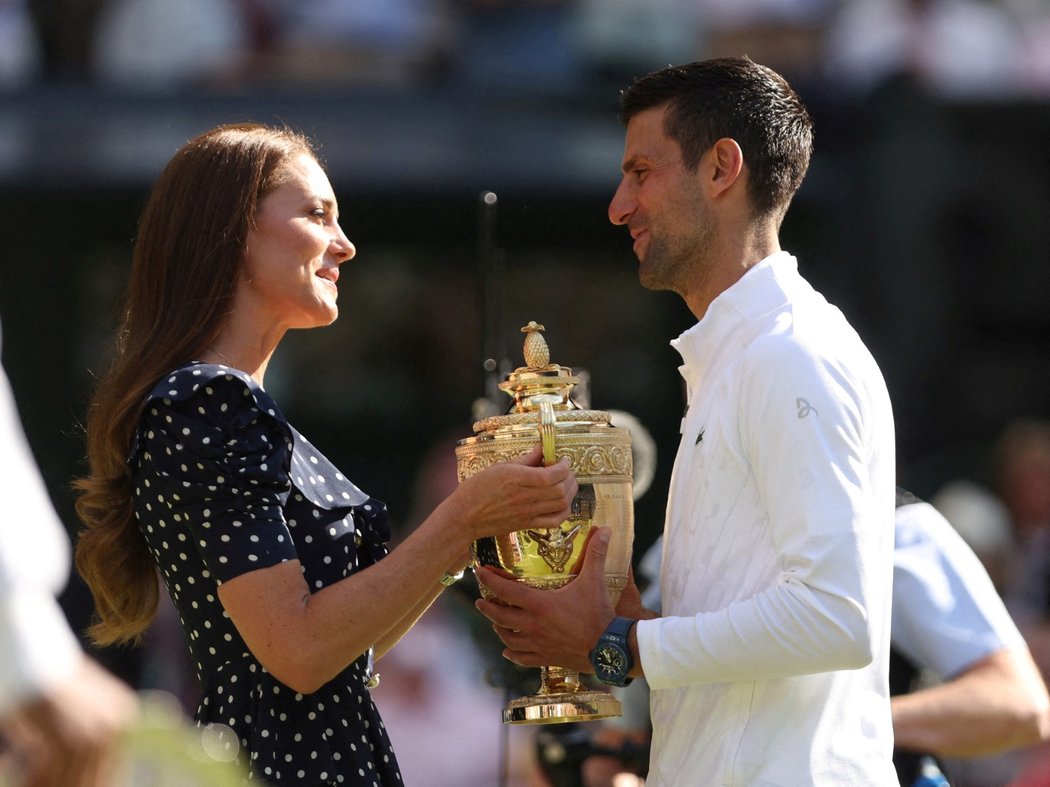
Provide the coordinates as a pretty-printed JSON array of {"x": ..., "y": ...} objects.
[{"x": 553, "y": 628}]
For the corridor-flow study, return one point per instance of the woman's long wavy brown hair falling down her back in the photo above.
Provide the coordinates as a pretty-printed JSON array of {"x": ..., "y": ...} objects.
[{"x": 184, "y": 272}]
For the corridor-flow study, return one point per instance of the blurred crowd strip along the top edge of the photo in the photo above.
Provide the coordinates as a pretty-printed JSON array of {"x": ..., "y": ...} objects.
[{"x": 960, "y": 48}]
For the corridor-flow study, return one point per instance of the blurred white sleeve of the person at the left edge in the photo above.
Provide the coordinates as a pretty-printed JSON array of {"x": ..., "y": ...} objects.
[{"x": 37, "y": 648}]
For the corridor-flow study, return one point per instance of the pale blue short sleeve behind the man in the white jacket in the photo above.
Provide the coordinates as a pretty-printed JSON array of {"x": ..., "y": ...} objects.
[{"x": 947, "y": 614}]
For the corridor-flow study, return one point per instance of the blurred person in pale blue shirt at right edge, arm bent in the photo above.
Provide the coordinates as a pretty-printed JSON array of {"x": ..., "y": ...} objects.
[{"x": 949, "y": 620}]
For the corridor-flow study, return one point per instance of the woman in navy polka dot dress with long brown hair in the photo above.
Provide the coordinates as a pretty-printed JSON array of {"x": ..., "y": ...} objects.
[{"x": 277, "y": 564}]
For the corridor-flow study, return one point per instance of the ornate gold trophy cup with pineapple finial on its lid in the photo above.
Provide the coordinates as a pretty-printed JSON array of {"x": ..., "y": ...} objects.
[{"x": 548, "y": 559}]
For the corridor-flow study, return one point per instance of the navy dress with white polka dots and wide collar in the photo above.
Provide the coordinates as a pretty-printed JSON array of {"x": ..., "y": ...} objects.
[{"x": 223, "y": 486}]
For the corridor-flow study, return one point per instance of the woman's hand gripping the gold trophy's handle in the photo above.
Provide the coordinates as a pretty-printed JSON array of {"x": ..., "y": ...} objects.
[{"x": 514, "y": 496}]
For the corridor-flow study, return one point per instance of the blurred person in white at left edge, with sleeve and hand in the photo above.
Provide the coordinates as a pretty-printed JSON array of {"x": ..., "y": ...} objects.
[{"x": 60, "y": 713}]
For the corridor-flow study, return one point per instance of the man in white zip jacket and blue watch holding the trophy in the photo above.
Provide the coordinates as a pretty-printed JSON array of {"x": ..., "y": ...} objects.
[{"x": 768, "y": 664}]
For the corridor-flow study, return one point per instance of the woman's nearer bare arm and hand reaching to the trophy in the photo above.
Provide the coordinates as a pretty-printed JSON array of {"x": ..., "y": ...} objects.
[{"x": 305, "y": 640}]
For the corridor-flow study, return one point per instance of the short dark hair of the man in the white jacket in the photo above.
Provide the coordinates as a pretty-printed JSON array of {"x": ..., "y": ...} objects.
[{"x": 742, "y": 100}]
